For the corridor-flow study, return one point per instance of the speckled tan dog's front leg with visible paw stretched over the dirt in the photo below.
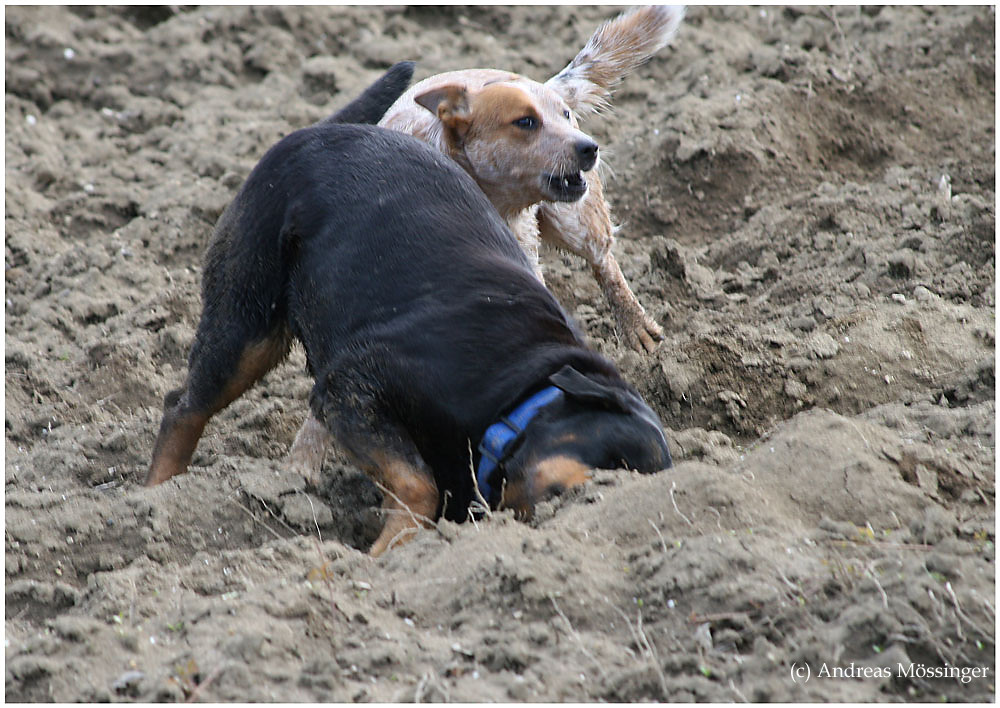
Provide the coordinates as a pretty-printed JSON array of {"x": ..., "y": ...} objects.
[{"x": 584, "y": 228}]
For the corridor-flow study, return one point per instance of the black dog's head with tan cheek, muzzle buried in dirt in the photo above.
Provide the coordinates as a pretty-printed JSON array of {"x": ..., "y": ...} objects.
[{"x": 597, "y": 423}]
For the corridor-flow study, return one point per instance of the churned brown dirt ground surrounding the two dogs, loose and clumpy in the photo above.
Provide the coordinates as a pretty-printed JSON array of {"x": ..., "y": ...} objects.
[{"x": 807, "y": 200}]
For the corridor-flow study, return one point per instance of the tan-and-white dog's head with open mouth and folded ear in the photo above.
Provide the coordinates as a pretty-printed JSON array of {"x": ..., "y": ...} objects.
[{"x": 517, "y": 138}]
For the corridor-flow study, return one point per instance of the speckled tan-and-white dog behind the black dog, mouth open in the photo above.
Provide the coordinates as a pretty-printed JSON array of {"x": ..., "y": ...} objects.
[{"x": 521, "y": 142}]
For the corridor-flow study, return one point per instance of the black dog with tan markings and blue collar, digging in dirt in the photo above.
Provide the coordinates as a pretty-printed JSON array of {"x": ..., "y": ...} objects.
[{"x": 424, "y": 327}]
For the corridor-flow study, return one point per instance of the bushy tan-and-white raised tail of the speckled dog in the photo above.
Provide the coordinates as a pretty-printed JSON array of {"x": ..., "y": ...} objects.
[{"x": 615, "y": 49}]
